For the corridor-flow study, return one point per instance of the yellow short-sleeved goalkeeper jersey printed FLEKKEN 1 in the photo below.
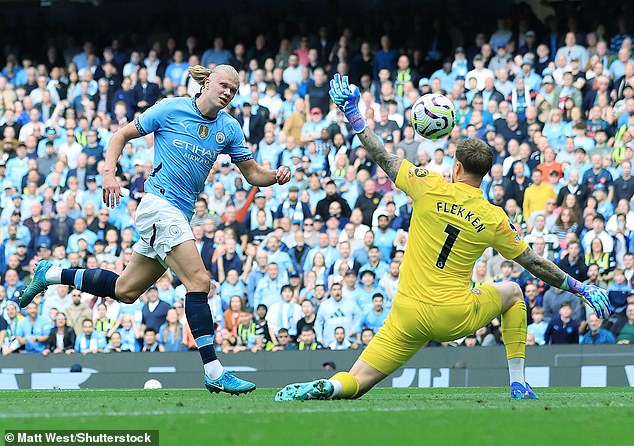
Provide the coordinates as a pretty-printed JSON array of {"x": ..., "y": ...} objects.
[{"x": 452, "y": 224}]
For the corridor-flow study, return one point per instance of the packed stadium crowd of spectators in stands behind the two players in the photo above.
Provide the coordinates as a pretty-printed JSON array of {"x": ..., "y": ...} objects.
[{"x": 314, "y": 264}]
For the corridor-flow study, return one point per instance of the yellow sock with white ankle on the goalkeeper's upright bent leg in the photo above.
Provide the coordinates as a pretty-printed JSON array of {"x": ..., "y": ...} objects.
[{"x": 514, "y": 337}]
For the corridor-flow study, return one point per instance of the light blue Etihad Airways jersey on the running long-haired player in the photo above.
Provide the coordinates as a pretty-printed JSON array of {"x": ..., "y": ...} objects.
[{"x": 186, "y": 145}]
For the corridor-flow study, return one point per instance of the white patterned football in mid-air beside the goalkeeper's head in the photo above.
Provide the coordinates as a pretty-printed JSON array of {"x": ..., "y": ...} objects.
[{"x": 433, "y": 116}]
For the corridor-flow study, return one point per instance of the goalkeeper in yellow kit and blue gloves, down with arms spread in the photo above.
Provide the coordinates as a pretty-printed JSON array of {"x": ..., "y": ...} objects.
[{"x": 452, "y": 224}]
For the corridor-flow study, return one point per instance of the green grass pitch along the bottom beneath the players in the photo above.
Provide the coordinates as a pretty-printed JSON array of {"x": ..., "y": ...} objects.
[{"x": 392, "y": 417}]
